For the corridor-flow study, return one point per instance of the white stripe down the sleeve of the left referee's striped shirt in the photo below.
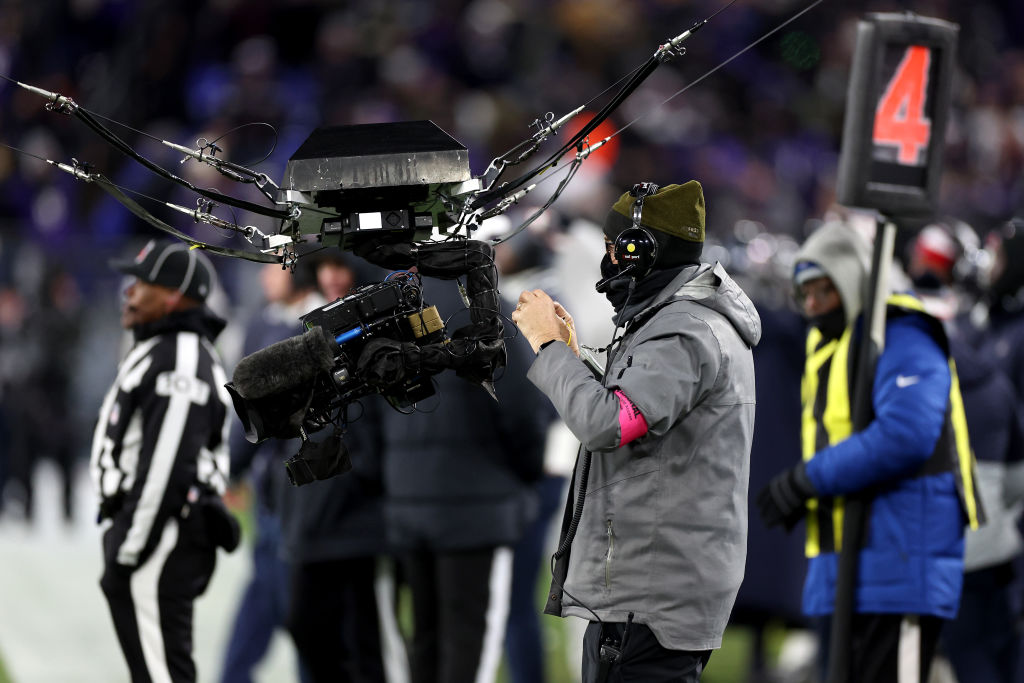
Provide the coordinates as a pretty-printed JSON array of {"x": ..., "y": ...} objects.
[{"x": 164, "y": 454}]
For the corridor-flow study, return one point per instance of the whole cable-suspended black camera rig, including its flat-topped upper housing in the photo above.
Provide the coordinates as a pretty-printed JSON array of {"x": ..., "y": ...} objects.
[{"x": 383, "y": 192}]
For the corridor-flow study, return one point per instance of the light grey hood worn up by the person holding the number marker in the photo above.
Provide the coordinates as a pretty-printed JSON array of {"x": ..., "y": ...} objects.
[{"x": 845, "y": 258}]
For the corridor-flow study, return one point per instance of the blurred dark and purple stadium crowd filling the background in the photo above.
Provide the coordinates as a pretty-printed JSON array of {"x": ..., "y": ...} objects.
[{"x": 762, "y": 135}]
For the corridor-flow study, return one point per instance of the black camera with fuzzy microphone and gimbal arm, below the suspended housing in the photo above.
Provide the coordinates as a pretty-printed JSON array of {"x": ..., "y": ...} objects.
[{"x": 381, "y": 338}]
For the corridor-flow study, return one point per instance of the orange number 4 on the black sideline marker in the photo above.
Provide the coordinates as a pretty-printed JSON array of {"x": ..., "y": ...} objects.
[{"x": 901, "y": 118}]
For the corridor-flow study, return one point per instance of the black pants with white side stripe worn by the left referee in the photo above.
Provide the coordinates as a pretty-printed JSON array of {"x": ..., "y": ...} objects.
[{"x": 152, "y": 605}]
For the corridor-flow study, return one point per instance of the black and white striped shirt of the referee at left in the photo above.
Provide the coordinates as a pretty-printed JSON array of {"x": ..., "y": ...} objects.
[{"x": 163, "y": 429}]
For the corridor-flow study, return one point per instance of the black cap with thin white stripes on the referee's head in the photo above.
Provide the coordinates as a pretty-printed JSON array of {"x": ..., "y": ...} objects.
[{"x": 173, "y": 265}]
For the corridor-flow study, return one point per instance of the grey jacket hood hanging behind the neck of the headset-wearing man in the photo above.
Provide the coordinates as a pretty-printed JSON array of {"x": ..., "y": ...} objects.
[{"x": 712, "y": 287}]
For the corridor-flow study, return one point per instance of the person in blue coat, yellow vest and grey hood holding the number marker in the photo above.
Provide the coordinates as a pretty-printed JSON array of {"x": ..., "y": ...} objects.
[{"x": 913, "y": 461}]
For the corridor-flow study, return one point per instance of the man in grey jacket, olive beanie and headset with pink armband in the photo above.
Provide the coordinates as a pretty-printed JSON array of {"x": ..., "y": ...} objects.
[{"x": 659, "y": 554}]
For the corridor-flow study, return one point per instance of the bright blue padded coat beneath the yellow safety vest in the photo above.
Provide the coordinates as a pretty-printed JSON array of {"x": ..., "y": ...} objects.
[{"x": 912, "y": 562}]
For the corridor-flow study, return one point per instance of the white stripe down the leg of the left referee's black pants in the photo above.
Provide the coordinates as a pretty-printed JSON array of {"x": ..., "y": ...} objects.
[{"x": 145, "y": 597}]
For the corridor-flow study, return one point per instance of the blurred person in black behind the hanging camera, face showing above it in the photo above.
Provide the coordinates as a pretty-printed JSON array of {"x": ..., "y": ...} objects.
[{"x": 343, "y": 608}]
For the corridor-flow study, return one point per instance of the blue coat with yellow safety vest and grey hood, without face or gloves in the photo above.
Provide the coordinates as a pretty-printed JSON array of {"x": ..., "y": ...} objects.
[{"x": 908, "y": 460}]
